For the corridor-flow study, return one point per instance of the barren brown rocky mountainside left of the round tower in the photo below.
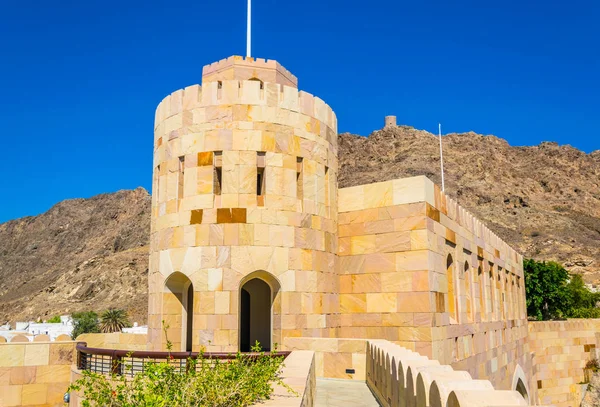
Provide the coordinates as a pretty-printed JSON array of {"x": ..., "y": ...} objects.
[{"x": 83, "y": 254}]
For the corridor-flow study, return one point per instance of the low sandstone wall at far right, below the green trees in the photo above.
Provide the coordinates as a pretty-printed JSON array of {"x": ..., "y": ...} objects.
[{"x": 561, "y": 350}]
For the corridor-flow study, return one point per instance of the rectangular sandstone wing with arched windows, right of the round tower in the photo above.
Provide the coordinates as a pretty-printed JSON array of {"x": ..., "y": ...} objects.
[{"x": 417, "y": 269}]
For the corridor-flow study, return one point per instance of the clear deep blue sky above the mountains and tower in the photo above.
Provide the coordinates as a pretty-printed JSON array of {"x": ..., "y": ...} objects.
[{"x": 80, "y": 80}]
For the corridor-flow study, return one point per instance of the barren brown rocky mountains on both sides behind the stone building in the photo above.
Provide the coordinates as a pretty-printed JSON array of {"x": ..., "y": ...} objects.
[{"x": 93, "y": 253}]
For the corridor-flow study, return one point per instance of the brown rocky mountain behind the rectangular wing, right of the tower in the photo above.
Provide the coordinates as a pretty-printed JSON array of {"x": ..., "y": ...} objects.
[{"x": 543, "y": 200}]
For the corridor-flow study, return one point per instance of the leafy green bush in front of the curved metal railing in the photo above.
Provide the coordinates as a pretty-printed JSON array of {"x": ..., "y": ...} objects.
[{"x": 243, "y": 381}]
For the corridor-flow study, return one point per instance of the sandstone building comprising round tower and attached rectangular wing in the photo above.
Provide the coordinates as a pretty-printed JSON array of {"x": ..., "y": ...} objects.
[{"x": 252, "y": 240}]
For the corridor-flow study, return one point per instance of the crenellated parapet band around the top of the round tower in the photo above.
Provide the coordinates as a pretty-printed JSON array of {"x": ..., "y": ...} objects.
[{"x": 245, "y": 92}]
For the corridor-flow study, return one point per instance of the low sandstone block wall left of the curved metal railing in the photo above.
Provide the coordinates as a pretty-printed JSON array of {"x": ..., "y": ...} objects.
[{"x": 35, "y": 374}]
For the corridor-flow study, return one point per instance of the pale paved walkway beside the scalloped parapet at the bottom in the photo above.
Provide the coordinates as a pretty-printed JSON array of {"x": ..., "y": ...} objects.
[{"x": 344, "y": 393}]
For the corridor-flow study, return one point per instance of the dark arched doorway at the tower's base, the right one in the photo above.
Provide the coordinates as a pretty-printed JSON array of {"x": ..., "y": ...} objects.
[{"x": 255, "y": 315}]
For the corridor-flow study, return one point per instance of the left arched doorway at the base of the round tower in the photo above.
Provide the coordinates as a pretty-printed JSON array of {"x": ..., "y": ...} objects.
[{"x": 178, "y": 311}]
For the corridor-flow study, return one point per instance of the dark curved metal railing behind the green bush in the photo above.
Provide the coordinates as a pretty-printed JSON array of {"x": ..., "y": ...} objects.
[{"x": 125, "y": 362}]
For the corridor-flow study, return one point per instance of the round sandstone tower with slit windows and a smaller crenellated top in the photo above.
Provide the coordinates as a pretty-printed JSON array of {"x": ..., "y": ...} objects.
[{"x": 244, "y": 212}]
